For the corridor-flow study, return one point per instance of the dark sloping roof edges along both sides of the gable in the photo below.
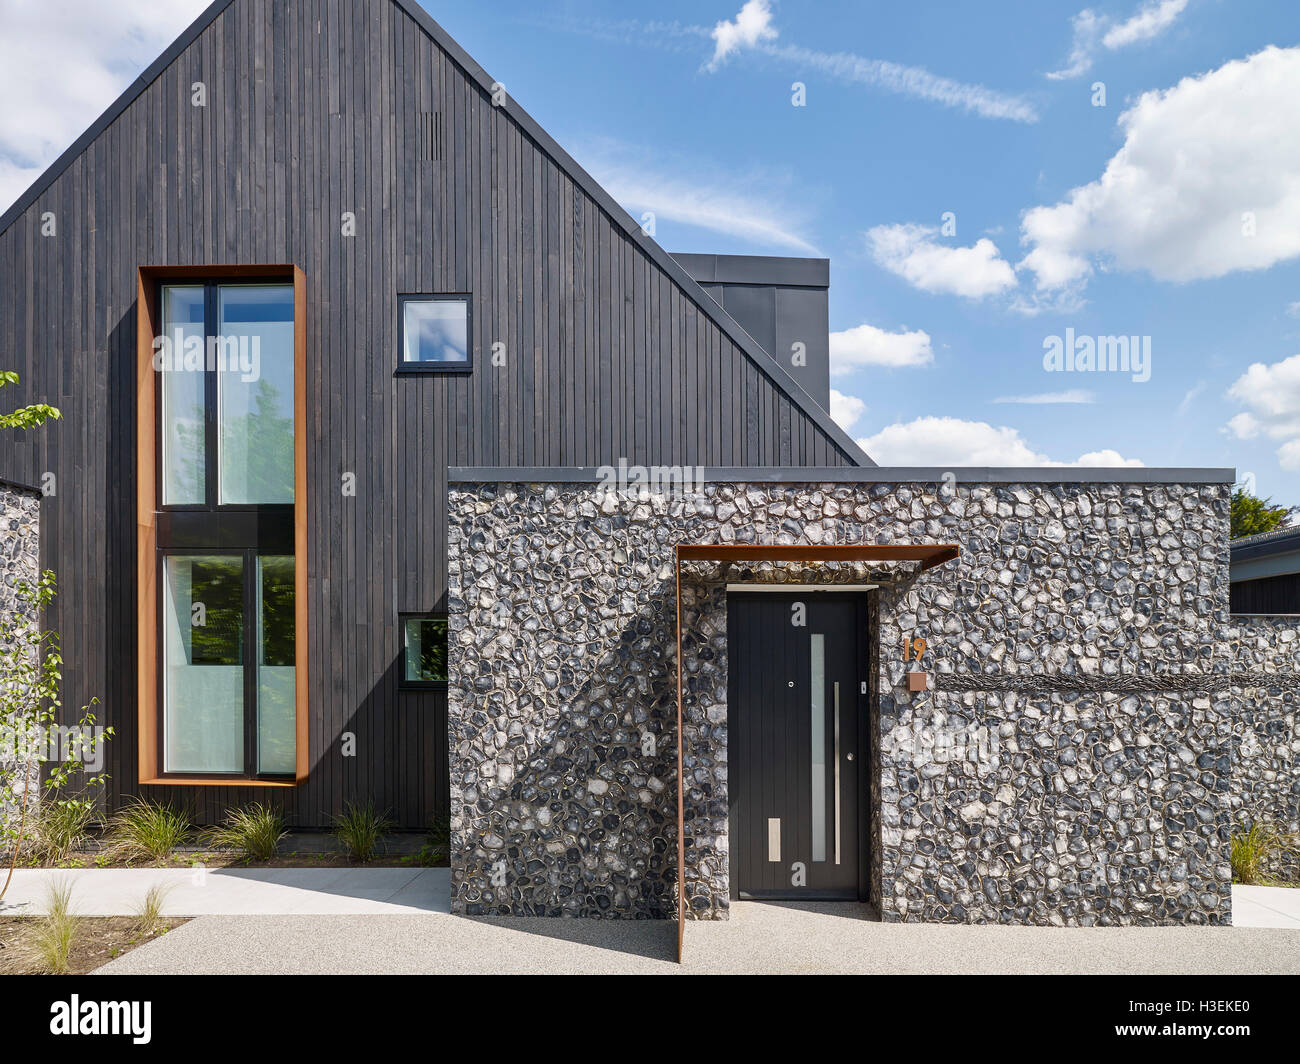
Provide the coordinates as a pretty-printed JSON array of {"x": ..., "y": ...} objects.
[{"x": 753, "y": 351}]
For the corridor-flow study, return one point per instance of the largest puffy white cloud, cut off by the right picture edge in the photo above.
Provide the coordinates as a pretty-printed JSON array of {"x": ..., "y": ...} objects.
[{"x": 1207, "y": 184}]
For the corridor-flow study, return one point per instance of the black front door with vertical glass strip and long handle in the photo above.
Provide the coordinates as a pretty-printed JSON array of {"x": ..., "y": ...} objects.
[{"x": 798, "y": 663}]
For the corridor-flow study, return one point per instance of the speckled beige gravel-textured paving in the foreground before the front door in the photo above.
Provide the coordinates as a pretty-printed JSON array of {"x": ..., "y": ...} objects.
[{"x": 760, "y": 938}]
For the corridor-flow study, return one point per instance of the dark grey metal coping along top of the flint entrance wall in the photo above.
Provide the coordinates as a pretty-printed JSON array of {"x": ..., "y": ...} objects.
[{"x": 872, "y": 475}]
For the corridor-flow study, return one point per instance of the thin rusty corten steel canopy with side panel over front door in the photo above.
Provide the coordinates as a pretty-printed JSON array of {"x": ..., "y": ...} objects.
[{"x": 929, "y": 556}]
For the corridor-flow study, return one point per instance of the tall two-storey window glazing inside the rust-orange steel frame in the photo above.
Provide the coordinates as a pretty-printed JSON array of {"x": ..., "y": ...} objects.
[{"x": 227, "y": 655}]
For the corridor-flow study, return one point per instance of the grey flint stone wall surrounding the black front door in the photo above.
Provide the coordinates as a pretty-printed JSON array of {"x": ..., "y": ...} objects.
[{"x": 1073, "y": 765}]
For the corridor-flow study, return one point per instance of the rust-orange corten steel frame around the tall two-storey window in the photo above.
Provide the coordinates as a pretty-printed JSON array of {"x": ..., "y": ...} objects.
[{"x": 149, "y": 512}]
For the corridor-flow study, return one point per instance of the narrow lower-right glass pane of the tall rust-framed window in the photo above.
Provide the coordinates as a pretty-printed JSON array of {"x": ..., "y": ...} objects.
[{"x": 278, "y": 693}]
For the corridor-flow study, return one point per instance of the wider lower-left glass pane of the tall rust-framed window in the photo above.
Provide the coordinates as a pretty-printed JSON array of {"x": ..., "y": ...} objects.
[{"x": 203, "y": 665}]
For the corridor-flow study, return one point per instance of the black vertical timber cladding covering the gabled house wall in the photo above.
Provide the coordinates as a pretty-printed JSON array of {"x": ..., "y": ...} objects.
[{"x": 318, "y": 109}]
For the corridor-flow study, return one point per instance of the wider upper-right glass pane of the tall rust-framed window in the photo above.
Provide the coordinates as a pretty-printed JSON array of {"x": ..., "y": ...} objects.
[{"x": 255, "y": 393}]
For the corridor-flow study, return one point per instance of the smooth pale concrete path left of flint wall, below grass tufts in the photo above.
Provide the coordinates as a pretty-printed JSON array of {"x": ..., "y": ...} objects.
[{"x": 352, "y": 892}]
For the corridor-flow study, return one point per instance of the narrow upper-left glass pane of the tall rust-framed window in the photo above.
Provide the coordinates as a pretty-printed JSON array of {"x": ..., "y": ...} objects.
[{"x": 184, "y": 436}]
